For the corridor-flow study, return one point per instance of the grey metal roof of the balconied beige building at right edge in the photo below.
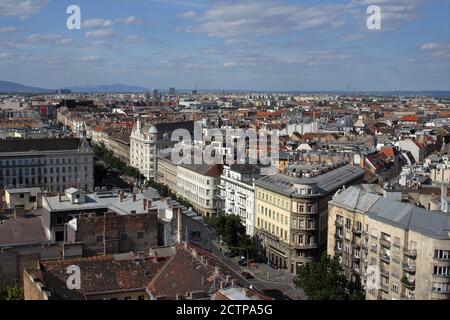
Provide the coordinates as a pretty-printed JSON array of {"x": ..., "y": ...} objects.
[{"x": 435, "y": 224}]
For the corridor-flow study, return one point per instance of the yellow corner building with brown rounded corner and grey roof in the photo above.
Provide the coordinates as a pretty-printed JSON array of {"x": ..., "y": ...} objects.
[{"x": 292, "y": 214}]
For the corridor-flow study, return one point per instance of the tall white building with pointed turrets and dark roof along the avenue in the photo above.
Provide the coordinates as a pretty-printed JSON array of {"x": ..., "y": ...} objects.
[{"x": 147, "y": 140}]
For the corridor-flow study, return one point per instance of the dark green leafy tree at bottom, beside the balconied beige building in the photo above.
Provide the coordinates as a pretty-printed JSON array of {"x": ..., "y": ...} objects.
[{"x": 323, "y": 280}]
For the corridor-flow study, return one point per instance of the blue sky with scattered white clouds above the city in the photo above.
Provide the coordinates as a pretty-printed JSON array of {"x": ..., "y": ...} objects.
[{"x": 228, "y": 44}]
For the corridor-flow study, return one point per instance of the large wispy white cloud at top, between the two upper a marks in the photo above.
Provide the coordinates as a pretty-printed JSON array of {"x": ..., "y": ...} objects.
[{"x": 250, "y": 18}]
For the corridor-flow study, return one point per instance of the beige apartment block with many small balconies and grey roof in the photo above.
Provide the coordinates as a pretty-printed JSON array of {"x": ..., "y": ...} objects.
[{"x": 397, "y": 250}]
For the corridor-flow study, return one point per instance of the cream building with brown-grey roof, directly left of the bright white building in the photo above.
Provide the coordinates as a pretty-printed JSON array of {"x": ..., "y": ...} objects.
[{"x": 197, "y": 183}]
